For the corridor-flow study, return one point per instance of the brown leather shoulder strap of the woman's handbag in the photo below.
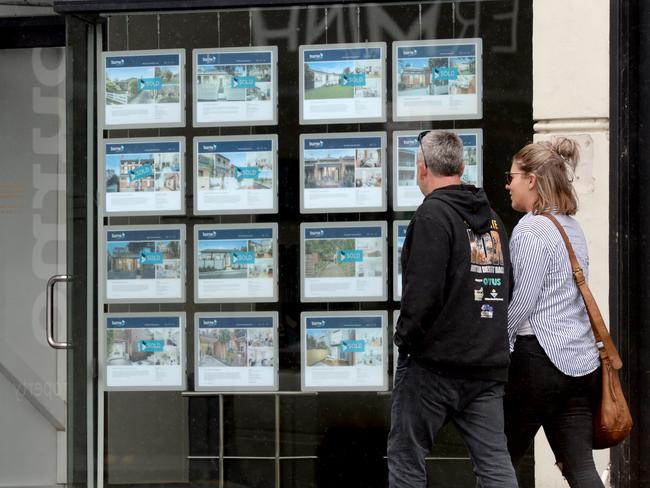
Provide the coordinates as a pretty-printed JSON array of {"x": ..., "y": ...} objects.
[{"x": 604, "y": 342}]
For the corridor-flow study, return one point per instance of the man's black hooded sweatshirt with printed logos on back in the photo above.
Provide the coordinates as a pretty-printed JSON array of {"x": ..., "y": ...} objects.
[{"x": 455, "y": 286}]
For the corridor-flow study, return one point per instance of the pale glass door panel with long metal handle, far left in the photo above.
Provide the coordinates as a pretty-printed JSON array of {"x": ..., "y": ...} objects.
[{"x": 33, "y": 383}]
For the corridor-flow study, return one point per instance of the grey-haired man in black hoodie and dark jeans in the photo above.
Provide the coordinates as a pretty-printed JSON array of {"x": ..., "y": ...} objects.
[{"x": 452, "y": 330}]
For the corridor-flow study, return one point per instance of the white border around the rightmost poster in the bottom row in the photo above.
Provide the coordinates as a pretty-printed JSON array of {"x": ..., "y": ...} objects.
[{"x": 353, "y": 313}]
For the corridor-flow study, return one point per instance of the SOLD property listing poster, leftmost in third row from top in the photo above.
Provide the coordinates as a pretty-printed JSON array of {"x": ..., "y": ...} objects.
[{"x": 144, "y": 264}]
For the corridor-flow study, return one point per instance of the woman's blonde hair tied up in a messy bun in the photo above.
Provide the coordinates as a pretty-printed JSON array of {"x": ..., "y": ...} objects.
[{"x": 554, "y": 163}]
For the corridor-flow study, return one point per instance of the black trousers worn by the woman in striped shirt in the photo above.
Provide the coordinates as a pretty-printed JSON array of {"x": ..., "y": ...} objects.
[{"x": 540, "y": 395}]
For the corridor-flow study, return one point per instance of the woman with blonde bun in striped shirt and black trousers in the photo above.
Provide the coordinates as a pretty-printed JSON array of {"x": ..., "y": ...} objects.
[{"x": 554, "y": 372}]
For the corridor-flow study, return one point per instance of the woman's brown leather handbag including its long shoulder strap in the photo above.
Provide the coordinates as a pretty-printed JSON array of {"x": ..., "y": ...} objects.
[{"x": 612, "y": 419}]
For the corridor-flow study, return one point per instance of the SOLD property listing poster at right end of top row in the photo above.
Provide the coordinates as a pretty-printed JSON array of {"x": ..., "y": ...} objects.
[{"x": 437, "y": 80}]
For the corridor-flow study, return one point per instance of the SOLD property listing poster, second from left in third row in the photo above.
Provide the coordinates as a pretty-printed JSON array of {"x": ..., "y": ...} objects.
[{"x": 235, "y": 263}]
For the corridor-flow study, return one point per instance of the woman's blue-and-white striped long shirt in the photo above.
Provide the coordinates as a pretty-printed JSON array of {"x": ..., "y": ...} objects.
[{"x": 546, "y": 296}]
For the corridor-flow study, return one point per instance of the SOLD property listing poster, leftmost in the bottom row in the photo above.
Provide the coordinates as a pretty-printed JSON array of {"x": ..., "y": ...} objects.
[{"x": 144, "y": 351}]
